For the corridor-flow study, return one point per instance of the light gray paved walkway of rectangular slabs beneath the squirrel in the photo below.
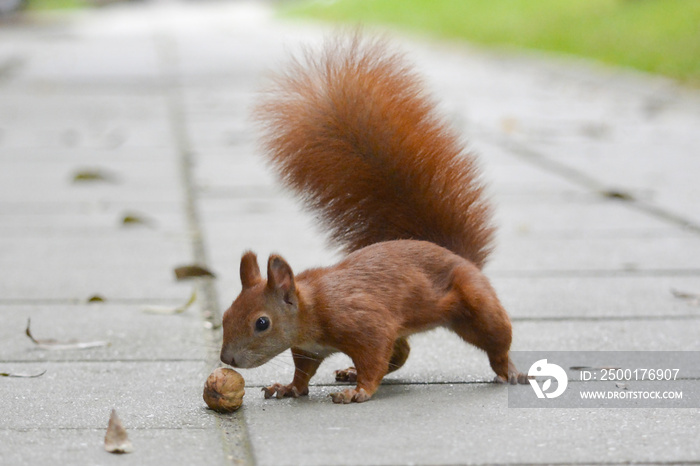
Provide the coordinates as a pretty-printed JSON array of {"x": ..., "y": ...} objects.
[{"x": 156, "y": 95}]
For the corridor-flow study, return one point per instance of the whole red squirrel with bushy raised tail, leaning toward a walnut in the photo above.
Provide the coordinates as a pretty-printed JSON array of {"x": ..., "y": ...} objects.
[{"x": 352, "y": 131}]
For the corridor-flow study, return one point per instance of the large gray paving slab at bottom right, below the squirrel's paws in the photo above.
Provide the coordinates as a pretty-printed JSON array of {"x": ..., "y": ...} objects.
[{"x": 460, "y": 424}]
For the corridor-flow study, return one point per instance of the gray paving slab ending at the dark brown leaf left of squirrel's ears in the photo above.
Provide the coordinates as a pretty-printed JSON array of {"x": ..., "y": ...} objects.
[{"x": 79, "y": 267}]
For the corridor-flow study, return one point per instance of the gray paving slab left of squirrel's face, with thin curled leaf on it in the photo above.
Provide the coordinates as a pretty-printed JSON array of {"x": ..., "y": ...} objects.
[{"x": 127, "y": 328}]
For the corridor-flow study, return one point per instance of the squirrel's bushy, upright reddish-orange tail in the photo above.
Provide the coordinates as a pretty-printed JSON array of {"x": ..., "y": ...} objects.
[{"x": 353, "y": 133}]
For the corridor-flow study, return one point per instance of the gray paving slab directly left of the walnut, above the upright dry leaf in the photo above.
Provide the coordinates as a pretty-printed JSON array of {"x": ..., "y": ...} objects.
[{"x": 81, "y": 395}]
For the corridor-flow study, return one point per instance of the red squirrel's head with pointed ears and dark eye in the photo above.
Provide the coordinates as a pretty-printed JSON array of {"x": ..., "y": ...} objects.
[{"x": 262, "y": 321}]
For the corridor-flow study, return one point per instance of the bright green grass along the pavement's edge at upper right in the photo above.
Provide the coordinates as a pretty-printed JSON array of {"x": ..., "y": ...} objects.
[{"x": 659, "y": 36}]
